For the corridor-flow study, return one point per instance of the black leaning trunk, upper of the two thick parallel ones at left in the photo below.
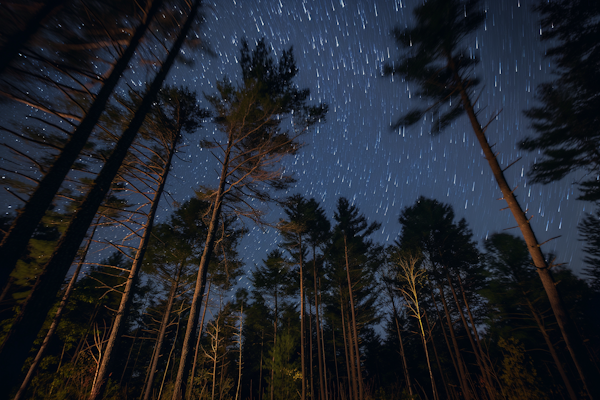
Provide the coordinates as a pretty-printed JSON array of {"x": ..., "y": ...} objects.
[{"x": 16, "y": 239}]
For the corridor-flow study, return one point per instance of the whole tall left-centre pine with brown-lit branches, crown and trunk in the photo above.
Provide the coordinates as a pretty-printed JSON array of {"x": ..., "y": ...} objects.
[{"x": 251, "y": 117}]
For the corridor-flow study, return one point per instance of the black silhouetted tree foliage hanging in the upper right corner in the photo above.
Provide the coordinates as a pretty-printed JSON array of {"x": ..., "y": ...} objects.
[{"x": 566, "y": 118}]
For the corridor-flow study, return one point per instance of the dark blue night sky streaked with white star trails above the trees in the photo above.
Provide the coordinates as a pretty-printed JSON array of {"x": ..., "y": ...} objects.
[{"x": 340, "y": 46}]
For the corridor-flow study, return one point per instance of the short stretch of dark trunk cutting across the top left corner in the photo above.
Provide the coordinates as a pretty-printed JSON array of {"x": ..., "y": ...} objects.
[{"x": 17, "y": 40}]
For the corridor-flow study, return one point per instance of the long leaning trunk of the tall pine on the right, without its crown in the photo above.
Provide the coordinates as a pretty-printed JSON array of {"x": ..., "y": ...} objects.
[{"x": 587, "y": 371}]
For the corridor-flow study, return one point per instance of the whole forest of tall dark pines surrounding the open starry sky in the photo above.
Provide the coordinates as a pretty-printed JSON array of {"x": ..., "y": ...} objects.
[{"x": 331, "y": 313}]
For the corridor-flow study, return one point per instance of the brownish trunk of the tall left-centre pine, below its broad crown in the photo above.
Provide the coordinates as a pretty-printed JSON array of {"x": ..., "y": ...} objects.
[{"x": 184, "y": 367}]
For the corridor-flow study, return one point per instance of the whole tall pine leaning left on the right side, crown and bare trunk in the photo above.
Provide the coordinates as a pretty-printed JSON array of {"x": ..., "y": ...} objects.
[{"x": 435, "y": 60}]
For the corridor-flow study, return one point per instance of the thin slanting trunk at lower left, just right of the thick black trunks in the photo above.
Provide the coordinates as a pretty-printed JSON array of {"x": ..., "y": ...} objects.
[{"x": 57, "y": 317}]
